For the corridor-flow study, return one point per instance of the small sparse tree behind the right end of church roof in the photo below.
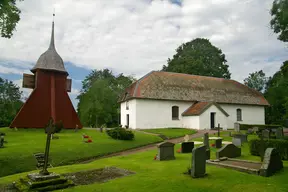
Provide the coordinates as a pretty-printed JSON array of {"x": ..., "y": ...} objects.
[{"x": 256, "y": 80}]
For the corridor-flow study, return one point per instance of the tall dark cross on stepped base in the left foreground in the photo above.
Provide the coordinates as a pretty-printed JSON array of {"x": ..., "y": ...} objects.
[{"x": 50, "y": 129}]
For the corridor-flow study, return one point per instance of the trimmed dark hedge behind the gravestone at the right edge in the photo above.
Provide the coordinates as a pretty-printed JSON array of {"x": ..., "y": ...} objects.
[{"x": 280, "y": 144}]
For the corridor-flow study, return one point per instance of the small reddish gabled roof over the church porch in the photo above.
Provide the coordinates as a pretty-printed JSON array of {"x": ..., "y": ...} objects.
[{"x": 199, "y": 107}]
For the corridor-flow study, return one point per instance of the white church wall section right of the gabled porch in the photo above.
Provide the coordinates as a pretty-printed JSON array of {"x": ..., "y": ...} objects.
[{"x": 250, "y": 114}]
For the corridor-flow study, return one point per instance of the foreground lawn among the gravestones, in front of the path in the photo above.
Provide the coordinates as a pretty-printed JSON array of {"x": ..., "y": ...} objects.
[{"x": 168, "y": 176}]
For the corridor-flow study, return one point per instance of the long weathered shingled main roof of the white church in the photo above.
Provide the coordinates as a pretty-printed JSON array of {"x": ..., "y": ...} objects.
[{"x": 183, "y": 87}]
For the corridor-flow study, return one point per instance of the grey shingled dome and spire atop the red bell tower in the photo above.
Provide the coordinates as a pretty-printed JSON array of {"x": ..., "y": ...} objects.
[{"x": 50, "y": 59}]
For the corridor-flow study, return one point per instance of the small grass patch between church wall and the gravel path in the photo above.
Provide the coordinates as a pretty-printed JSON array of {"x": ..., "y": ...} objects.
[{"x": 171, "y": 132}]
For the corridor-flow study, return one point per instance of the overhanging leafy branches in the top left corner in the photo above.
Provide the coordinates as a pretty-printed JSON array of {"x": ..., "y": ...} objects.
[{"x": 9, "y": 17}]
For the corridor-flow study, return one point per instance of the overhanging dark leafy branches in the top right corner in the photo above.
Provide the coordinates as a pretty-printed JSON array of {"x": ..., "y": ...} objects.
[{"x": 279, "y": 21}]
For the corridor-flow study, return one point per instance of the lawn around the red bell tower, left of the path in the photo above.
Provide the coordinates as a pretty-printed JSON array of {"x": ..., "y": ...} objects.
[{"x": 17, "y": 156}]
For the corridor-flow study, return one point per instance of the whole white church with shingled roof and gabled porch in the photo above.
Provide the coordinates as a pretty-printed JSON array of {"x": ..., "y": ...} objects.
[{"x": 164, "y": 99}]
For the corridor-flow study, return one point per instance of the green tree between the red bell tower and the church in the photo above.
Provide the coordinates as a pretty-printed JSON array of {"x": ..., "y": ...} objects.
[{"x": 98, "y": 98}]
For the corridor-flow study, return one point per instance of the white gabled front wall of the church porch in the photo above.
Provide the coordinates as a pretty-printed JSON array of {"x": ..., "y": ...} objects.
[{"x": 205, "y": 119}]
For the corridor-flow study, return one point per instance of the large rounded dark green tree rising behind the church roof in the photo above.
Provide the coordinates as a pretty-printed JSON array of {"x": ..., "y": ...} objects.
[{"x": 199, "y": 57}]
